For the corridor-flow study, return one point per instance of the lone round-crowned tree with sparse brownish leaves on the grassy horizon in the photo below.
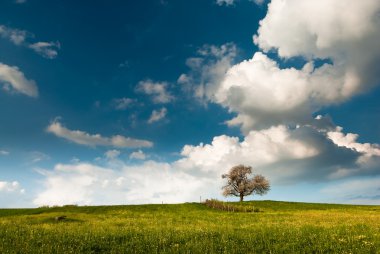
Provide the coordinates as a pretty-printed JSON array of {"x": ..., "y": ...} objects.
[{"x": 239, "y": 185}]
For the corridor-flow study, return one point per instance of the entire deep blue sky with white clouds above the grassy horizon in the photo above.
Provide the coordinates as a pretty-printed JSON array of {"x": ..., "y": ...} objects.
[{"x": 123, "y": 102}]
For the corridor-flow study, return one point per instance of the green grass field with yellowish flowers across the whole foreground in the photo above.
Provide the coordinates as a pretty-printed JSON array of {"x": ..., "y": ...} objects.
[{"x": 279, "y": 227}]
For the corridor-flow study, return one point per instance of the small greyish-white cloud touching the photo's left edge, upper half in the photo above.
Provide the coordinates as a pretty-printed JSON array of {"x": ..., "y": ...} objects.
[{"x": 13, "y": 79}]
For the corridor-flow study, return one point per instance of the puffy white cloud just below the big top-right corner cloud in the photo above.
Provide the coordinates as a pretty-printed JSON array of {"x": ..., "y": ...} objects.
[{"x": 263, "y": 94}]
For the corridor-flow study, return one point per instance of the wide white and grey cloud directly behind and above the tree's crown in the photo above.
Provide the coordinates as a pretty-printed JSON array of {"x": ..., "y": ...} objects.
[{"x": 286, "y": 155}]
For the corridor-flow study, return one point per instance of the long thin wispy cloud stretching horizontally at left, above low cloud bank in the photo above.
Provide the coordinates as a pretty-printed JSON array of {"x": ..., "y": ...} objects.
[{"x": 83, "y": 138}]
